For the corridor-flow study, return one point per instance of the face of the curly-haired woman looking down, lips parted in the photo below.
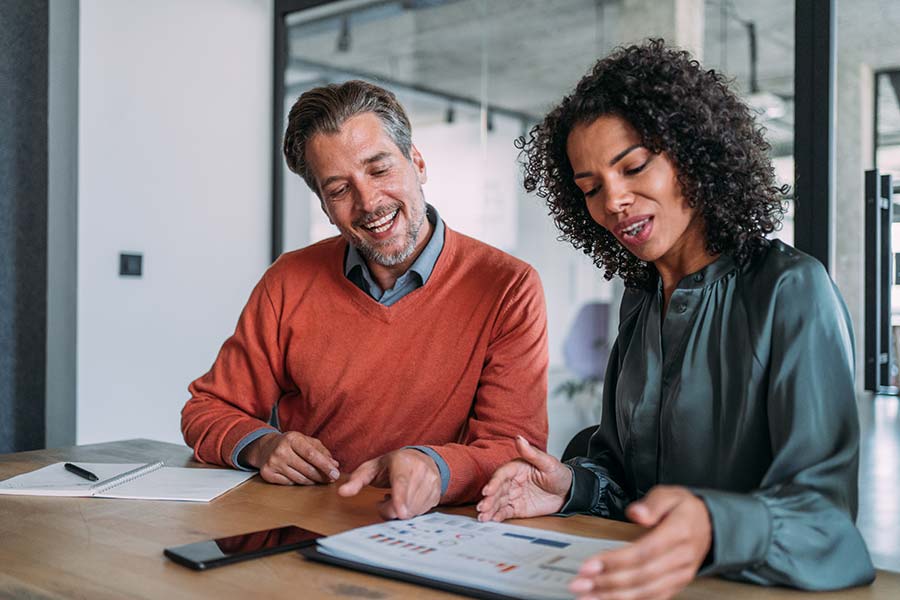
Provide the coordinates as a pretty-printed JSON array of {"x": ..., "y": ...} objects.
[{"x": 634, "y": 193}]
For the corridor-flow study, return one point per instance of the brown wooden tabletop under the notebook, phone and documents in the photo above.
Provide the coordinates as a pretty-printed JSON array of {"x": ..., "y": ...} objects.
[{"x": 101, "y": 548}]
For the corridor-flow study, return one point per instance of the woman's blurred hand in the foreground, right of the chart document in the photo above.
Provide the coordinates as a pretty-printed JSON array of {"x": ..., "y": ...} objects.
[{"x": 662, "y": 561}]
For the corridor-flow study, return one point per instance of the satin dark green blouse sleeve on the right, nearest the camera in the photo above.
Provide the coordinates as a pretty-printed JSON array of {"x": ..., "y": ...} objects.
[{"x": 797, "y": 529}]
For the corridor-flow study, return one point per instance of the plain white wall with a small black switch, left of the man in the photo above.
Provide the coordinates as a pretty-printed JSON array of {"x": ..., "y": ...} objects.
[{"x": 174, "y": 162}]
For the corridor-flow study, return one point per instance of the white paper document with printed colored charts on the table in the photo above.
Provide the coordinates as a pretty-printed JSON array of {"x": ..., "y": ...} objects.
[{"x": 522, "y": 562}]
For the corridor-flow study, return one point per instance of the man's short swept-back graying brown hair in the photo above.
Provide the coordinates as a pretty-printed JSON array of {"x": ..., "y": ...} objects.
[{"x": 325, "y": 109}]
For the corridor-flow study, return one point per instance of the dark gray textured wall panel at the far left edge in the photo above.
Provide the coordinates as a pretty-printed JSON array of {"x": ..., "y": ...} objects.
[{"x": 23, "y": 222}]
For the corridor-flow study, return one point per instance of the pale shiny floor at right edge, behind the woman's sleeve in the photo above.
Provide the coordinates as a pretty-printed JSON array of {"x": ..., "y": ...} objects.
[{"x": 879, "y": 479}]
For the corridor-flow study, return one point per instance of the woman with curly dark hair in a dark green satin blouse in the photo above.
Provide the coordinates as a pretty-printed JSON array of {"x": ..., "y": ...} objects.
[{"x": 729, "y": 425}]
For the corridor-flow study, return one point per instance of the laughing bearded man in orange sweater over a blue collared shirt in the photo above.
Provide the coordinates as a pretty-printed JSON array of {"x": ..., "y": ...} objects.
[{"x": 400, "y": 350}]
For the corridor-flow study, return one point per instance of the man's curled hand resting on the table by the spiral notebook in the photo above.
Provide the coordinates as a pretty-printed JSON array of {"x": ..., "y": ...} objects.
[{"x": 291, "y": 458}]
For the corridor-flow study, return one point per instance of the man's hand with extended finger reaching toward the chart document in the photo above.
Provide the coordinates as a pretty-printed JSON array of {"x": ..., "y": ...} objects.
[{"x": 412, "y": 475}]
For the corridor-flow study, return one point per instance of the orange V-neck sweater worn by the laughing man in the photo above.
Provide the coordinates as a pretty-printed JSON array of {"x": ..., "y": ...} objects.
[{"x": 459, "y": 364}]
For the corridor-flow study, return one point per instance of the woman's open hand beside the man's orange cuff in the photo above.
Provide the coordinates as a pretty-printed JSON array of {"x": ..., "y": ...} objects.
[{"x": 534, "y": 484}]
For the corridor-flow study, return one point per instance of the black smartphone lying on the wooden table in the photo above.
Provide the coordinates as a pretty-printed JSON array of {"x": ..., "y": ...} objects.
[{"x": 227, "y": 550}]
